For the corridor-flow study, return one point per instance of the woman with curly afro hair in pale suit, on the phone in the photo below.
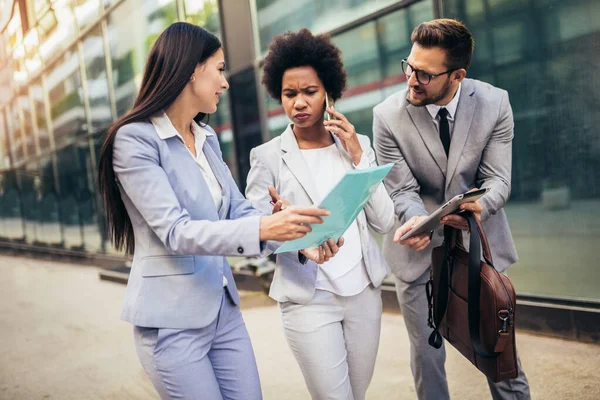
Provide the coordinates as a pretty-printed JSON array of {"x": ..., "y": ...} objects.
[{"x": 330, "y": 306}]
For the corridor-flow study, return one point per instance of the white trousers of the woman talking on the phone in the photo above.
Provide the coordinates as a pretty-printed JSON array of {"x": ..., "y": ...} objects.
[{"x": 335, "y": 341}]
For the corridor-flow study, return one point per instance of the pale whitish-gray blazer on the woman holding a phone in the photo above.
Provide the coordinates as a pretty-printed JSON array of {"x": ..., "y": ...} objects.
[{"x": 280, "y": 163}]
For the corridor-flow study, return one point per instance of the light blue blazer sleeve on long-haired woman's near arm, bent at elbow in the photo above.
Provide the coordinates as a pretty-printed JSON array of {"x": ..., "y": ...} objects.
[{"x": 136, "y": 163}]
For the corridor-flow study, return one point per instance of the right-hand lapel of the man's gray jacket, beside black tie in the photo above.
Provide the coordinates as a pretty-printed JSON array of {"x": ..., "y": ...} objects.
[{"x": 462, "y": 124}]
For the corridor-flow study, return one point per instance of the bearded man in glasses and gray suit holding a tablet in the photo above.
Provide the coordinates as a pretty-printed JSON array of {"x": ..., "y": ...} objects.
[{"x": 446, "y": 135}]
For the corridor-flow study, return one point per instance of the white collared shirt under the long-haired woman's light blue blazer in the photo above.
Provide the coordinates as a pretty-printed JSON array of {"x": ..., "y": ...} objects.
[{"x": 165, "y": 130}]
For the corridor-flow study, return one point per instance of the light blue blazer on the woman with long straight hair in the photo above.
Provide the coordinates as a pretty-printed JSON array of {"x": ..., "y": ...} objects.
[{"x": 181, "y": 239}]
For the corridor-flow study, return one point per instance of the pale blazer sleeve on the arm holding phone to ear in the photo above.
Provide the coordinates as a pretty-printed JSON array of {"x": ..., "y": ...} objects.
[{"x": 380, "y": 209}]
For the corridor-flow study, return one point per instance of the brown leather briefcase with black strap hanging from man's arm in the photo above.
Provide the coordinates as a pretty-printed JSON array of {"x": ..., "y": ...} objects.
[{"x": 471, "y": 304}]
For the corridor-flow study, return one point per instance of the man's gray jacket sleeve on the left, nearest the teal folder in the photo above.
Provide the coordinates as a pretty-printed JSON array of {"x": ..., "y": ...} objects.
[{"x": 400, "y": 181}]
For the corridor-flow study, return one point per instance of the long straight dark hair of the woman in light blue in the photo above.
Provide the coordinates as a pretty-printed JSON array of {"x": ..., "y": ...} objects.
[{"x": 170, "y": 64}]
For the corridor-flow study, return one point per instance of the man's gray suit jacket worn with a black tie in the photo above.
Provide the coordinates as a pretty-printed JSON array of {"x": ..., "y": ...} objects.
[{"x": 423, "y": 177}]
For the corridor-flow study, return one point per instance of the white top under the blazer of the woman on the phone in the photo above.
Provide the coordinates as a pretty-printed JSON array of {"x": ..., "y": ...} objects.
[{"x": 346, "y": 273}]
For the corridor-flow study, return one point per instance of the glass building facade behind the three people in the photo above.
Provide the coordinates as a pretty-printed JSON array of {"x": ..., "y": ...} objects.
[{"x": 68, "y": 68}]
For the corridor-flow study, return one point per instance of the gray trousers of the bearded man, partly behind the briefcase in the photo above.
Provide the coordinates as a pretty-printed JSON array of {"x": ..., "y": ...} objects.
[{"x": 427, "y": 363}]
